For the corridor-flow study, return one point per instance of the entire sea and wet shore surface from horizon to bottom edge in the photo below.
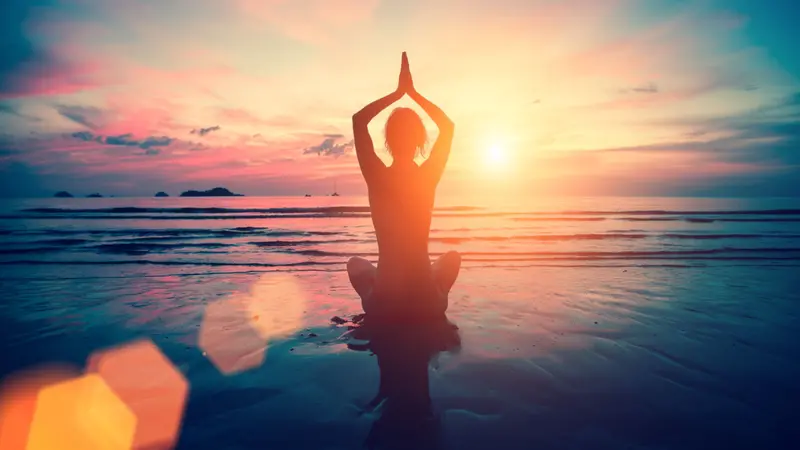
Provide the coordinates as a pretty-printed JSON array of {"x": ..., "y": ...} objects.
[{"x": 585, "y": 323}]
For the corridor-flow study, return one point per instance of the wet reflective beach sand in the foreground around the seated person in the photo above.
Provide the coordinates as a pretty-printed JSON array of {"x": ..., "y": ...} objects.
[{"x": 549, "y": 357}]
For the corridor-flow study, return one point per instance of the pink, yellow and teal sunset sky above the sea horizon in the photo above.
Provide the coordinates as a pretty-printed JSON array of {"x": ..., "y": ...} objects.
[{"x": 585, "y": 97}]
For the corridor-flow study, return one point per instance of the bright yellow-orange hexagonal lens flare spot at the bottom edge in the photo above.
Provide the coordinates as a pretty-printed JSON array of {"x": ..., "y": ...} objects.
[{"x": 82, "y": 413}]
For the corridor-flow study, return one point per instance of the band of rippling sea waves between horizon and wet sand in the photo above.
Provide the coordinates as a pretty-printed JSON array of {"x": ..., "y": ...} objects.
[{"x": 298, "y": 232}]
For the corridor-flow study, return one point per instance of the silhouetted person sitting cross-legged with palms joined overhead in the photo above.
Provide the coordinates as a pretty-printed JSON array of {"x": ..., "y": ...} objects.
[{"x": 405, "y": 284}]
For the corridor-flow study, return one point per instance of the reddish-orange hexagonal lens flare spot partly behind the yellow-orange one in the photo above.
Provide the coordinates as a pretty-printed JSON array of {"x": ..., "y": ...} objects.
[{"x": 154, "y": 390}]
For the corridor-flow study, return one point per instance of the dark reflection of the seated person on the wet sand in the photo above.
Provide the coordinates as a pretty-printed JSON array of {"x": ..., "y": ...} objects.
[{"x": 404, "y": 352}]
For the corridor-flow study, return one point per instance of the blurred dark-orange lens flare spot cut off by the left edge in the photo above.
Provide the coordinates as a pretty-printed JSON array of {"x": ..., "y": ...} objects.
[{"x": 18, "y": 401}]
